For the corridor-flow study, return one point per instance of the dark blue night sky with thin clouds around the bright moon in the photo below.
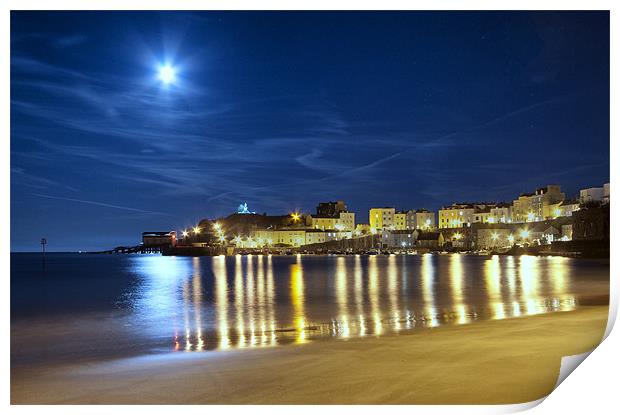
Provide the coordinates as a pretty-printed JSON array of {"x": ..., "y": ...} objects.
[{"x": 282, "y": 110}]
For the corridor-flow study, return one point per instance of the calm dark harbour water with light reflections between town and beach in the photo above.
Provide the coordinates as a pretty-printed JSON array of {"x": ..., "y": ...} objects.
[{"x": 96, "y": 306}]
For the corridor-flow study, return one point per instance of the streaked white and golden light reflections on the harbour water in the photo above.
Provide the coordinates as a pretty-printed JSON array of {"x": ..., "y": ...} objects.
[{"x": 258, "y": 301}]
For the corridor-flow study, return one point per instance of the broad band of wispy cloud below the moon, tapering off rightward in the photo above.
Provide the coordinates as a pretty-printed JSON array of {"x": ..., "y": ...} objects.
[{"x": 193, "y": 143}]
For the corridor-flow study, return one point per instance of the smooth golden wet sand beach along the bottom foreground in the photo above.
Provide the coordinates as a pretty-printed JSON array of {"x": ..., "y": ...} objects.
[{"x": 490, "y": 362}]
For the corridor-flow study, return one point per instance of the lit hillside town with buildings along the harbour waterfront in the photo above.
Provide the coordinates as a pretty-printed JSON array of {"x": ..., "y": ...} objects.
[{"x": 544, "y": 218}]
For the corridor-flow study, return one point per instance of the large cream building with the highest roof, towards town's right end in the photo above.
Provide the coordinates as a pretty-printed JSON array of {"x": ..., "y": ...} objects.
[{"x": 537, "y": 206}]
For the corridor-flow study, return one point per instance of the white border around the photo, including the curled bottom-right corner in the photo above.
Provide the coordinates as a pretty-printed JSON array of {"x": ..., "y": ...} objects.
[{"x": 589, "y": 390}]
